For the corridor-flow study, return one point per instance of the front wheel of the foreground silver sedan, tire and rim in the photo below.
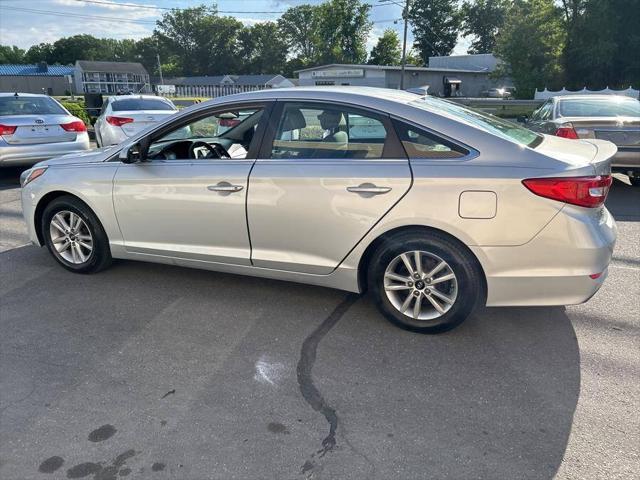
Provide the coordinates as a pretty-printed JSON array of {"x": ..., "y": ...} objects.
[{"x": 74, "y": 236}]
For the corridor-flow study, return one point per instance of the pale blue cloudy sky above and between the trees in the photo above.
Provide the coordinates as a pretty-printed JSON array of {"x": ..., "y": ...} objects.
[{"x": 25, "y": 23}]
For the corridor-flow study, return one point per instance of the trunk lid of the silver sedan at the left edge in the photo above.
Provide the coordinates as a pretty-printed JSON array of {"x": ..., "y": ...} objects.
[{"x": 38, "y": 129}]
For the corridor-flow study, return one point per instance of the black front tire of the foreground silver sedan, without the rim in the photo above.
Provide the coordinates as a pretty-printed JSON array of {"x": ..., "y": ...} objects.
[{"x": 100, "y": 256}]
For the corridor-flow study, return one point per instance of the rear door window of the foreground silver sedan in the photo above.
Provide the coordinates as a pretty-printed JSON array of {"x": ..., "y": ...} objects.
[{"x": 328, "y": 131}]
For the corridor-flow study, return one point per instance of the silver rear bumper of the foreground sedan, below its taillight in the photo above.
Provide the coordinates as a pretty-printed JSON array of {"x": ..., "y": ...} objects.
[{"x": 554, "y": 268}]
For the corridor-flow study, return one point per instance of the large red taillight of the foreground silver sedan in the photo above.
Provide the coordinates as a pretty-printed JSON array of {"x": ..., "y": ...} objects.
[{"x": 588, "y": 192}]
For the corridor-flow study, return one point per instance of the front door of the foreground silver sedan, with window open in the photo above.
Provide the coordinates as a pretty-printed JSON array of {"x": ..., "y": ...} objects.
[{"x": 185, "y": 203}]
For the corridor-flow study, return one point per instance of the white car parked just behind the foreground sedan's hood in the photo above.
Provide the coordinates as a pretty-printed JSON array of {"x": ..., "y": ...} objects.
[{"x": 124, "y": 116}]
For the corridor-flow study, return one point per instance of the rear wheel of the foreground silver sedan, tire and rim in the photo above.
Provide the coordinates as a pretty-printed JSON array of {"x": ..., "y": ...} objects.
[{"x": 424, "y": 282}]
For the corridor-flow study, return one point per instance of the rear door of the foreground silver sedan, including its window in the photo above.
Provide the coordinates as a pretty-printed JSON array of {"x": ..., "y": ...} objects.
[{"x": 326, "y": 174}]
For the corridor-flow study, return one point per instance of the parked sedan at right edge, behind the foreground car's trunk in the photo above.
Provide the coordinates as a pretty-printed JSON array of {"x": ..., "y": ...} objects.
[{"x": 606, "y": 117}]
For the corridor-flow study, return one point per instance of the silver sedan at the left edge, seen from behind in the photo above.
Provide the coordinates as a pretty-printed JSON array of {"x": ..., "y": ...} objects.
[{"x": 36, "y": 127}]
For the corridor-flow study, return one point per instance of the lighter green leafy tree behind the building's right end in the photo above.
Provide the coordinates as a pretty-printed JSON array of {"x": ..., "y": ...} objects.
[{"x": 531, "y": 45}]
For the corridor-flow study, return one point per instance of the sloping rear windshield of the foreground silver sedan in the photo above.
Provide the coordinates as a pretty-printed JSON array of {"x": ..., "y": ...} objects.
[{"x": 494, "y": 125}]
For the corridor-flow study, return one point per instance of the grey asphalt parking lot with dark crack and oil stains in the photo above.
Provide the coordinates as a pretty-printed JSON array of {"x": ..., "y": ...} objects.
[{"x": 151, "y": 371}]
